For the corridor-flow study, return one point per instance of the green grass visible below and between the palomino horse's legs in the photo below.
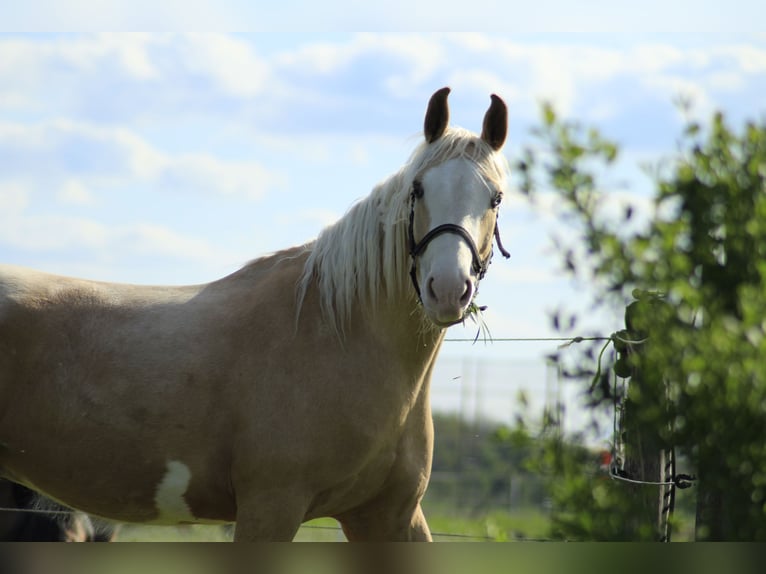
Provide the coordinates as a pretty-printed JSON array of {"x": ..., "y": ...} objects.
[{"x": 495, "y": 526}]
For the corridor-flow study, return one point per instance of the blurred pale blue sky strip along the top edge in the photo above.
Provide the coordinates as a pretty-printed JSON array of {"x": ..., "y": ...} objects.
[{"x": 554, "y": 16}]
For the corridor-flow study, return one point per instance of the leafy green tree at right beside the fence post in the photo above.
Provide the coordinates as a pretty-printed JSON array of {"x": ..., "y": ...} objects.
[{"x": 703, "y": 252}]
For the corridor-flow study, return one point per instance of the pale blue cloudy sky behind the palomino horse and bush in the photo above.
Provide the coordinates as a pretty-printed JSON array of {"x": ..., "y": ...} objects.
[{"x": 174, "y": 158}]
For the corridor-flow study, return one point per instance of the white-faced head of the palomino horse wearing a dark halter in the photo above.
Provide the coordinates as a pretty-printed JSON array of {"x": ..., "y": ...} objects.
[{"x": 453, "y": 212}]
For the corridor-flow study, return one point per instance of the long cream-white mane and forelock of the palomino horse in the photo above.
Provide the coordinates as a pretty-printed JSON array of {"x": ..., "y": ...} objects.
[{"x": 364, "y": 256}]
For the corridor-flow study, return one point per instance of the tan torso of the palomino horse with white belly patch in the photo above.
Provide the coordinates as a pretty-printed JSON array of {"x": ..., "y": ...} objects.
[{"x": 174, "y": 397}]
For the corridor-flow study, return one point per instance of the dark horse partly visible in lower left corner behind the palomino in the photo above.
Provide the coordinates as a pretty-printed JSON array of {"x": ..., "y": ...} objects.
[{"x": 27, "y": 517}]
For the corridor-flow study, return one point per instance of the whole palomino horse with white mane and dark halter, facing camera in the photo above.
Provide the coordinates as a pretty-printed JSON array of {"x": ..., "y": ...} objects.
[{"x": 295, "y": 388}]
